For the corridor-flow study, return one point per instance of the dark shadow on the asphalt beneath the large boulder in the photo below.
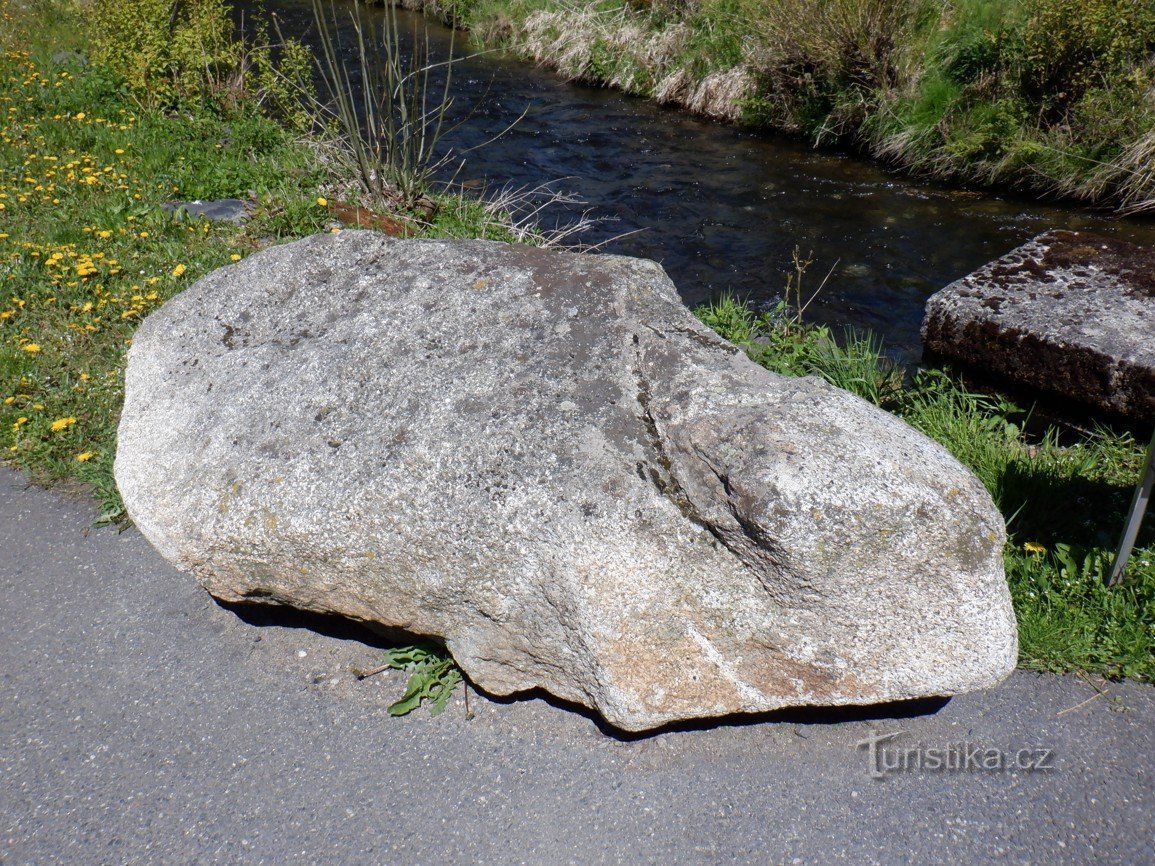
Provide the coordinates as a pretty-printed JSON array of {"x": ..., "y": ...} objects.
[{"x": 263, "y": 616}]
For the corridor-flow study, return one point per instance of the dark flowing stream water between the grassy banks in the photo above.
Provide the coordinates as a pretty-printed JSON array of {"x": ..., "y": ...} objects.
[{"x": 724, "y": 210}]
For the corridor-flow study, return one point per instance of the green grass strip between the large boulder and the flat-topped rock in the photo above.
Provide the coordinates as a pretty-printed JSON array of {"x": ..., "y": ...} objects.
[{"x": 1064, "y": 498}]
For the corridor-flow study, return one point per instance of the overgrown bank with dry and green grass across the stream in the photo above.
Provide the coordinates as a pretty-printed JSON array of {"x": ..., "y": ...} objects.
[{"x": 1053, "y": 98}]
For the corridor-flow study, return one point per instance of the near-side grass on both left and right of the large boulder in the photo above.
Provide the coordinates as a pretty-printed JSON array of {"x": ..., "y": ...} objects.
[{"x": 87, "y": 250}]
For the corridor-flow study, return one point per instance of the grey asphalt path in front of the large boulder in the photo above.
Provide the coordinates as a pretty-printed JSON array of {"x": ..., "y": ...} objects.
[{"x": 143, "y": 723}]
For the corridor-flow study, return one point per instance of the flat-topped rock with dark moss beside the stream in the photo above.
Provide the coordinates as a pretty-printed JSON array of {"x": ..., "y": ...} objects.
[{"x": 1070, "y": 313}]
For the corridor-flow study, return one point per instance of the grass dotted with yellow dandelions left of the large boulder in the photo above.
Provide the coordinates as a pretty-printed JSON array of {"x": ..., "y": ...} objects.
[{"x": 87, "y": 249}]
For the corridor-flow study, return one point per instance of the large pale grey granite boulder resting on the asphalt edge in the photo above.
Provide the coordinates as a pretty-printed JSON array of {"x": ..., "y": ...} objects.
[{"x": 547, "y": 461}]
